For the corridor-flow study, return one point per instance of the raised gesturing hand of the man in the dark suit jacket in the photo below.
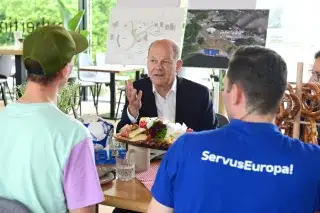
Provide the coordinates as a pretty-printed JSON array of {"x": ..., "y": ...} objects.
[{"x": 134, "y": 99}]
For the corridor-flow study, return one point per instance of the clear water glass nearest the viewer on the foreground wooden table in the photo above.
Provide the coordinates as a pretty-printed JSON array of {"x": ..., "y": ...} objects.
[{"x": 125, "y": 166}]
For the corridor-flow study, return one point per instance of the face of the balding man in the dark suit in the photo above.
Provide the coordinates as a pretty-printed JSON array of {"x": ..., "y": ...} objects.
[{"x": 162, "y": 66}]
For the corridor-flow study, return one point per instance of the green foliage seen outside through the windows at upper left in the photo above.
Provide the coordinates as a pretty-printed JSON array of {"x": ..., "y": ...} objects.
[{"x": 26, "y": 15}]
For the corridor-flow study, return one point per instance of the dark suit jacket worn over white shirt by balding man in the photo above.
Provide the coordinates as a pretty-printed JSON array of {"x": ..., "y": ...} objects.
[{"x": 194, "y": 105}]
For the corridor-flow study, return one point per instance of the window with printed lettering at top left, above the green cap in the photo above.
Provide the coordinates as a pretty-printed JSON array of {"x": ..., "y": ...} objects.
[{"x": 25, "y": 16}]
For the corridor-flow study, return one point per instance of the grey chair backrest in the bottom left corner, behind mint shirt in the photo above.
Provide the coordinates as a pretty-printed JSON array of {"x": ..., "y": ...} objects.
[{"x": 12, "y": 206}]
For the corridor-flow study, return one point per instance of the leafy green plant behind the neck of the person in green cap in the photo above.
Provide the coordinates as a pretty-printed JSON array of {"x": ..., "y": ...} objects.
[{"x": 67, "y": 98}]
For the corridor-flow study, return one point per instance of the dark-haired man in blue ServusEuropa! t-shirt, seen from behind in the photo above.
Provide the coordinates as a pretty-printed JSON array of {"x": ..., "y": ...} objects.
[{"x": 248, "y": 165}]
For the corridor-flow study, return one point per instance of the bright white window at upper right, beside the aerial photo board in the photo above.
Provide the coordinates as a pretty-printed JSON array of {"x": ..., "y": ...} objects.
[{"x": 293, "y": 33}]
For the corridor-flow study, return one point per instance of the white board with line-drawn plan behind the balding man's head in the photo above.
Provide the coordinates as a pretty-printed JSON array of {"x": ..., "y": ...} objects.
[{"x": 130, "y": 36}]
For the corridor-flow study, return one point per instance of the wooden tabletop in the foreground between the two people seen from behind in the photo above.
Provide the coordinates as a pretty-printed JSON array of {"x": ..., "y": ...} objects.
[{"x": 130, "y": 195}]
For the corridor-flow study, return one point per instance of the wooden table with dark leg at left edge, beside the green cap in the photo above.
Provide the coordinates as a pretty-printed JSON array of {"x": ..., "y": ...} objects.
[{"x": 21, "y": 74}]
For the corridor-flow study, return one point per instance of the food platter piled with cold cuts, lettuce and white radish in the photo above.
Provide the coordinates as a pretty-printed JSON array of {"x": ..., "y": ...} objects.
[{"x": 153, "y": 133}]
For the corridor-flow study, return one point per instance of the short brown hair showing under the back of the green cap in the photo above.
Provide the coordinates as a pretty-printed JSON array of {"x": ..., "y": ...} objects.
[{"x": 40, "y": 79}]
